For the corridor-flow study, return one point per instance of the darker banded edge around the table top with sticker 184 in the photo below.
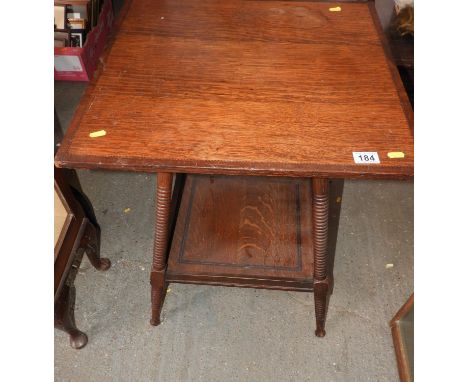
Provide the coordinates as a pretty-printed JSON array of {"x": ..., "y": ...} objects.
[{"x": 64, "y": 159}]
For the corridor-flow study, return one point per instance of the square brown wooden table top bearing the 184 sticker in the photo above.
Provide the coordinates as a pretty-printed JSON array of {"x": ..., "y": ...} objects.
[{"x": 244, "y": 87}]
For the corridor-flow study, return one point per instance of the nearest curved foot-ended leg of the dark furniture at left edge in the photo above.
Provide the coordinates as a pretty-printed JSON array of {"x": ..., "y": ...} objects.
[{"x": 64, "y": 317}]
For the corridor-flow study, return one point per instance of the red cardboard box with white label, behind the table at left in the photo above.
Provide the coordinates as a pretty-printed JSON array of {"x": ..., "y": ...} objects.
[{"x": 78, "y": 64}]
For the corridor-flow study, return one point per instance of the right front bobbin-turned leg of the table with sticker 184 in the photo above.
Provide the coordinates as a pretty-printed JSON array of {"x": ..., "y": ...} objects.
[{"x": 320, "y": 226}]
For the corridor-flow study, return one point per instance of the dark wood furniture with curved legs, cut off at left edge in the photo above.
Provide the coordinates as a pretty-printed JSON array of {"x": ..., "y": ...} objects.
[{"x": 76, "y": 232}]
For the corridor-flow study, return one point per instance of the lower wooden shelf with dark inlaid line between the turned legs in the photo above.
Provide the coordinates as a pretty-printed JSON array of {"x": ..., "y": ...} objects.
[{"x": 244, "y": 231}]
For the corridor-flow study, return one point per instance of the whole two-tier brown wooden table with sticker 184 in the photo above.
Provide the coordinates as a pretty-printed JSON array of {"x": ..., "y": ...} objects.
[{"x": 252, "y": 107}]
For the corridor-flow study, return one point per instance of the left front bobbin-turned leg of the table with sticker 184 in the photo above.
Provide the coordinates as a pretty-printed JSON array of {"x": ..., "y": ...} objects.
[{"x": 158, "y": 271}]
